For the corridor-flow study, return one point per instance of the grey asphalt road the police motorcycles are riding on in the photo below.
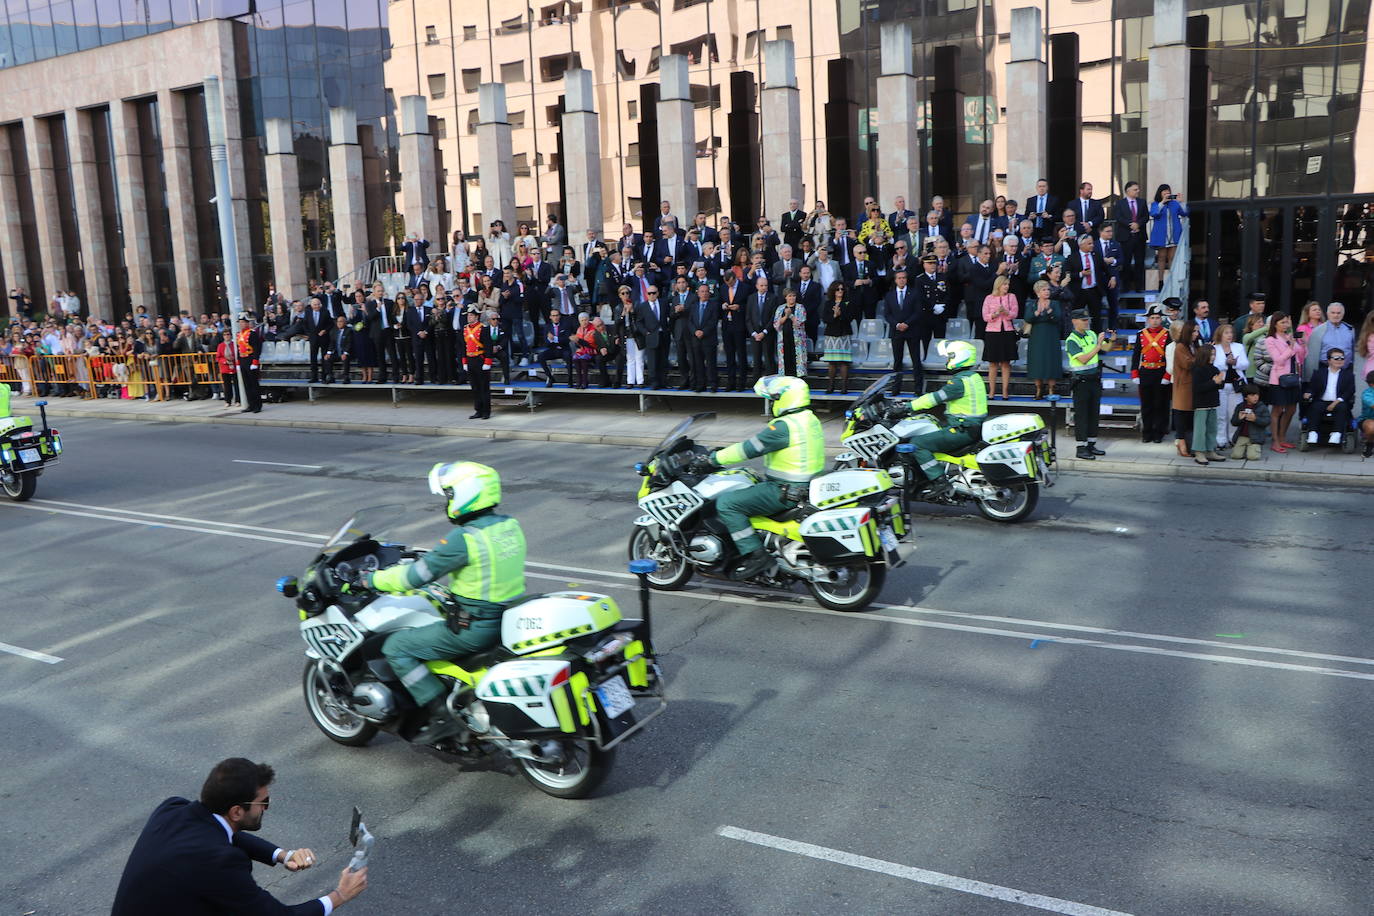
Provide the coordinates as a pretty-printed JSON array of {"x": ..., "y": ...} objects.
[{"x": 1192, "y": 742}]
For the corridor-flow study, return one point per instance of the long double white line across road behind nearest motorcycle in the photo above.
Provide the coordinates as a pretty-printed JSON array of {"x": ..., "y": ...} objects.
[{"x": 701, "y": 595}]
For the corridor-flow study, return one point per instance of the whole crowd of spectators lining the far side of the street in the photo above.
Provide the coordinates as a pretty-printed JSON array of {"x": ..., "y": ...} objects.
[{"x": 679, "y": 295}]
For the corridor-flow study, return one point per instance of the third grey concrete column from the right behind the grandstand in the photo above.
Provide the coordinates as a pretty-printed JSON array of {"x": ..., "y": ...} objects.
[{"x": 899, "y": 138}]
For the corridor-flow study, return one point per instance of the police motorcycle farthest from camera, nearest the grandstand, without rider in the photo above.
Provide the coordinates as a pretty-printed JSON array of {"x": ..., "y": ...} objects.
[{"x": 1001, "y": 474}]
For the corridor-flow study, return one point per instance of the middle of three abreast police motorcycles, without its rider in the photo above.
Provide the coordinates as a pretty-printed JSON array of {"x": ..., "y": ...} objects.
[{"x": 840, "y": 542}]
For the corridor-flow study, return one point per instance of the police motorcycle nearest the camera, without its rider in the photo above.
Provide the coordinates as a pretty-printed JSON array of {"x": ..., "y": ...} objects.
[{"x": 568, "y": 683}]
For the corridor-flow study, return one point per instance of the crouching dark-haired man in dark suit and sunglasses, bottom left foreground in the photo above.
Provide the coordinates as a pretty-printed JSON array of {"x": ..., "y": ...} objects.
[{"x": 196, "y": 859}]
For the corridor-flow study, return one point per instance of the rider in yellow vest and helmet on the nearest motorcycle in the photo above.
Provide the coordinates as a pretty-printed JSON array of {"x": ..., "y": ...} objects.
[{"x": 484, "y": 561}]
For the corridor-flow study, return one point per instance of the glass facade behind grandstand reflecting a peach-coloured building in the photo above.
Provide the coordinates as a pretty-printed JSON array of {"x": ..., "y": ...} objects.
[{"x": 1279, "y": 133}]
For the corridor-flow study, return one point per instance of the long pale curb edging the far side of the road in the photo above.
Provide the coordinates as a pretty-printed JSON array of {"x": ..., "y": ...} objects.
[{"x": 1099, "y": 466}]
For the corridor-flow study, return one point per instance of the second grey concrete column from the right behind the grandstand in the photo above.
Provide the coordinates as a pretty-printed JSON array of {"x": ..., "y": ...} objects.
[{"x": 1028, "y": 100}]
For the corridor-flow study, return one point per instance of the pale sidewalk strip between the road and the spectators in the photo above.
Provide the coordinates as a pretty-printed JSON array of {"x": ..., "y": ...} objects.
[{"x": 612, "y": 421}]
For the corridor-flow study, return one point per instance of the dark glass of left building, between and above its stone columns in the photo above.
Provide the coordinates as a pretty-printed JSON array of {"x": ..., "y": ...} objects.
[{"x": 293, "y": 60}]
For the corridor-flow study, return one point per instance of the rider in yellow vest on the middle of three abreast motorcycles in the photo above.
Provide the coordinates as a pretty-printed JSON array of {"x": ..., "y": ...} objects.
[{"x": 795, "y": 451}]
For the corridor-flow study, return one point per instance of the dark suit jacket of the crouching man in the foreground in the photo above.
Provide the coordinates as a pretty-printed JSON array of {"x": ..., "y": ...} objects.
[{"x": 183, "y": 863}]
